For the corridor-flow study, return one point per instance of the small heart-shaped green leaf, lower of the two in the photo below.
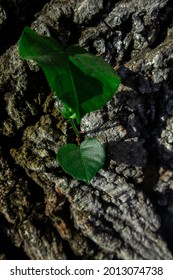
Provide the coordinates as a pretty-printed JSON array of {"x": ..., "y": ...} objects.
[{"x": 84, "y": 161}]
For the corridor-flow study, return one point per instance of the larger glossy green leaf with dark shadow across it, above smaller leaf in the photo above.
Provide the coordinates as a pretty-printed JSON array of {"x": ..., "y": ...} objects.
[{"x": 82, "y": 81}]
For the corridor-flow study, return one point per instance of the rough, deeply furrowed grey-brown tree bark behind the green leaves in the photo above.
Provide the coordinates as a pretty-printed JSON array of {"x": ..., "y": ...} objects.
[{"x": 127, "y": 210}]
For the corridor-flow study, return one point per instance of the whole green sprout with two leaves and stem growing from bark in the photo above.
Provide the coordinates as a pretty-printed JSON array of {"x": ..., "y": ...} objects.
[{"x": 84, "y": 83}]
